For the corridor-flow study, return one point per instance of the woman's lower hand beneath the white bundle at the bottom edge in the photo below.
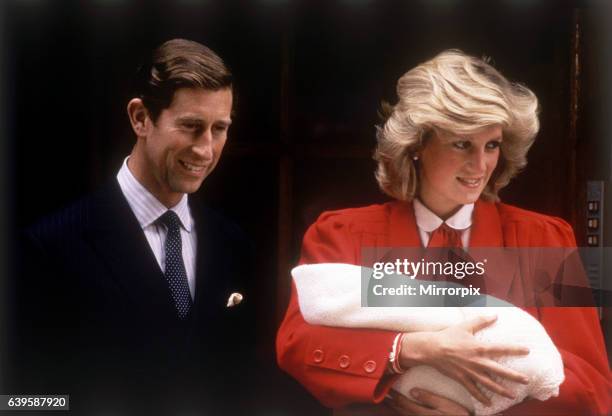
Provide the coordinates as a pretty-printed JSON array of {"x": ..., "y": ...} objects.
[{"x": 427, "y": 404}]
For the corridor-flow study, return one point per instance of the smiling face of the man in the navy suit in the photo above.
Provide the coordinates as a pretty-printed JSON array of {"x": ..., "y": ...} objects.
[{"x": 183, "y": 146}]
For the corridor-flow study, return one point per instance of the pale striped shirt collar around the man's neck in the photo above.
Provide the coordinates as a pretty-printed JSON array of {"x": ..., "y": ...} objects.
[{"x": 143, "y": 203}]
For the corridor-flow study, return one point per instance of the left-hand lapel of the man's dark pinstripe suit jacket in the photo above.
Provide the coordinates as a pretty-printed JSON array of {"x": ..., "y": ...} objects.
[{"x": 118, "y": 239}]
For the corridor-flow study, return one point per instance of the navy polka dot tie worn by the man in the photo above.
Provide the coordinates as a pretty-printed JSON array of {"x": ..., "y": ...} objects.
[{"x": 175, "y": 268}]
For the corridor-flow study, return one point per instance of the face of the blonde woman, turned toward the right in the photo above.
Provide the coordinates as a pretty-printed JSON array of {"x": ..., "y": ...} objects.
[{"x": 454, "y": 169}]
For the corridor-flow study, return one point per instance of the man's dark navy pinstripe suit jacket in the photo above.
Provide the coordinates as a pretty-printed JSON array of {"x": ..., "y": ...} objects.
[{"x": 93, "y": 313}]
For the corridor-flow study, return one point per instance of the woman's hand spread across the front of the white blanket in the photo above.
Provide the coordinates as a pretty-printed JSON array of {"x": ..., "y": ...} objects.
[{"x": 456, "y": 353}]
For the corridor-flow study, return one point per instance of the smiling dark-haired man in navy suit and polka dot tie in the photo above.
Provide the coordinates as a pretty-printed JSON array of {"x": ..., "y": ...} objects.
[{"x": 132, "y": 298}]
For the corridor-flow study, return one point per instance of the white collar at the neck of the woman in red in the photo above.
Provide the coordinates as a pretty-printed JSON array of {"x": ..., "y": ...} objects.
[{"x": 427, "y": 222}]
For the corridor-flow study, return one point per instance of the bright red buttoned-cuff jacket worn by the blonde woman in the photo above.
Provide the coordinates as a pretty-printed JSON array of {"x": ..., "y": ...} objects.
[{"x": 317, "y": 356}]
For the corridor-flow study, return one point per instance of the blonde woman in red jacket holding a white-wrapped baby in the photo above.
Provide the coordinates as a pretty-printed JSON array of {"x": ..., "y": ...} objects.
[{"x": 458, "y": 134}]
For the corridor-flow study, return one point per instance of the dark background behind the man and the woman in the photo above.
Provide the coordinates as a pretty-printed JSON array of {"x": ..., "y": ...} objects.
[{"x": 310, "y": 76}]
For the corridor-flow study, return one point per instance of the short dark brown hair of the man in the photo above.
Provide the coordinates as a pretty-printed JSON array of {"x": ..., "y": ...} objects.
[{"x": 178, "y": 63}]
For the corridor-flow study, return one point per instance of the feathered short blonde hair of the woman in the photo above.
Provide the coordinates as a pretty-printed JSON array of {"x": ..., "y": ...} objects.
[{"x": 461, "y": 94}]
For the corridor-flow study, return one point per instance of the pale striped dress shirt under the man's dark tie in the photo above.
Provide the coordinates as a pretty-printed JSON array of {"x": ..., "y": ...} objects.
[{"x": 147, "y": 210}]
